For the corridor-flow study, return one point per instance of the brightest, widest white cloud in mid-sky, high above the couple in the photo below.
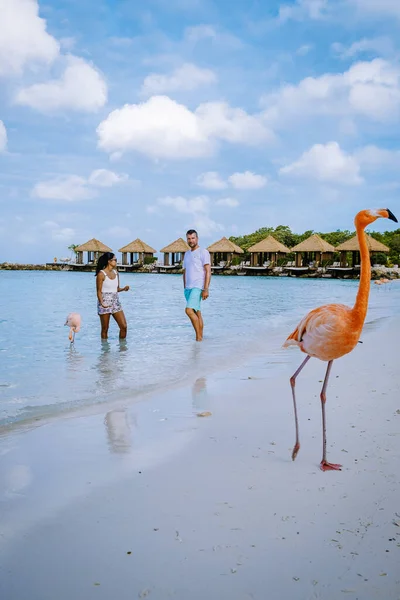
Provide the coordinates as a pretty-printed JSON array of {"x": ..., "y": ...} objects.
[{"x": 162, "y": 128}]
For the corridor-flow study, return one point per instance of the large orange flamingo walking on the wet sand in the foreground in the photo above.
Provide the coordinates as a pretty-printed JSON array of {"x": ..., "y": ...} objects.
[{"x": 333, "y": 330}]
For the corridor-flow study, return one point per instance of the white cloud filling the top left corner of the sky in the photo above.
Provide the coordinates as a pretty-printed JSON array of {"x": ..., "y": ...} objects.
[{"x": 23, "y": 37}]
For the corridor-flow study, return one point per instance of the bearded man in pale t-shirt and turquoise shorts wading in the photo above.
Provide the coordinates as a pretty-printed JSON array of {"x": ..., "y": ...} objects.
[{"x": 196, "y": 280}]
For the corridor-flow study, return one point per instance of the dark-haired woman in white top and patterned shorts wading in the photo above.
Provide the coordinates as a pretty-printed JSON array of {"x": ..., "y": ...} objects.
[{"x": 107, "y": 284}]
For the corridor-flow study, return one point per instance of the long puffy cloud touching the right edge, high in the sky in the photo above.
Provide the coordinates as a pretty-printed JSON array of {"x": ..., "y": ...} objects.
[{"x": 368, "y": 89}]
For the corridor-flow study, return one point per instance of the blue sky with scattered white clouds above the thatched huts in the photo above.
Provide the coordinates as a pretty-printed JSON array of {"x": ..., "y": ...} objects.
[{"x": 125, "y": 119}]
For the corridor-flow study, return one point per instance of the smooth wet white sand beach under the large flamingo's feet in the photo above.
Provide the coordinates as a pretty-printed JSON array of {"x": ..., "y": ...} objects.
[{"x": 148, "y": 500}]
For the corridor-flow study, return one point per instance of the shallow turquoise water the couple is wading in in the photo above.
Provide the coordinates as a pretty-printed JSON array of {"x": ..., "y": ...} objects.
[{"x": 42, "y": 374}]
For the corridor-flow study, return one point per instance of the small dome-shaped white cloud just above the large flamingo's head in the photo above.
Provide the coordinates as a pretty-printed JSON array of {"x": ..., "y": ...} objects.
[{"x": 327, "y": 164}]
